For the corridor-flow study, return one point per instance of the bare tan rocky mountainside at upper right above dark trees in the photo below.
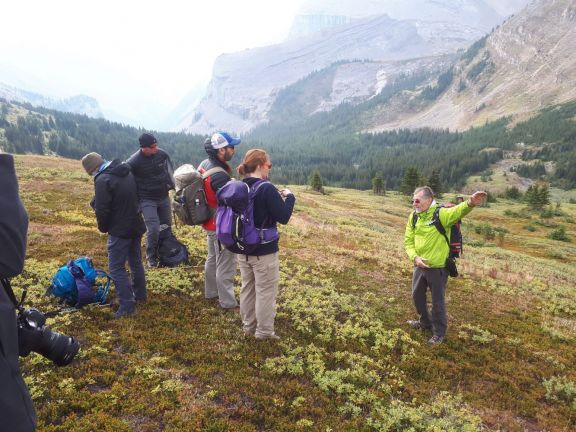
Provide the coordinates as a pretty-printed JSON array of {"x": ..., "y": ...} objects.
[{"x": 521, "y": 69}]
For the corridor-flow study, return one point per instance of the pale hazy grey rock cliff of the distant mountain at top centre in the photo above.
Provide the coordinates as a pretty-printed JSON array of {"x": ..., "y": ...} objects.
[{"x": 235, "y": 100}]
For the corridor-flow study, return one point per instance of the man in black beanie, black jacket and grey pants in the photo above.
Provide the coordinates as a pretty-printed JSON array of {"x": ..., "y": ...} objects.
[{"x": 154, "y": 174}]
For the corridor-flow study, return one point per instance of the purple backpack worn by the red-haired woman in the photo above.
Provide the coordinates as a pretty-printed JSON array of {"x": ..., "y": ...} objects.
[{"x": 235, "y": 227}]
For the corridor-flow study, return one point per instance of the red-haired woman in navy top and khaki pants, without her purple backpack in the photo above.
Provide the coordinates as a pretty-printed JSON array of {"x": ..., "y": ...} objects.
[{"x": 260, "y": 268}]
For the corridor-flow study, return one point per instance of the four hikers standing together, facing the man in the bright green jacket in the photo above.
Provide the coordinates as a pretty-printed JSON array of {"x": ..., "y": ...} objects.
[{"x": 132, "y": 198}]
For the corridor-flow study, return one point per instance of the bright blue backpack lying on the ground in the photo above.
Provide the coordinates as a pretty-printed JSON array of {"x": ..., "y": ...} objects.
[{"x": 77, "y": 283}]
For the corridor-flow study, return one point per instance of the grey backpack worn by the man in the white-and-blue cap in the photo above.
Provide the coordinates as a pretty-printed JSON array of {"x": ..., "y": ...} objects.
[{"x": 189, "y": 203}]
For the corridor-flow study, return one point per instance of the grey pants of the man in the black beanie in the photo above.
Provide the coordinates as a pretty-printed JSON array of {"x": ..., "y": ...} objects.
[{"x": 155, "y": 213}]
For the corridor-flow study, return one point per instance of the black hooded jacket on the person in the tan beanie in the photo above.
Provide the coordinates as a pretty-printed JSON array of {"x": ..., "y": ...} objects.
[{"x": 116, "y": 202}]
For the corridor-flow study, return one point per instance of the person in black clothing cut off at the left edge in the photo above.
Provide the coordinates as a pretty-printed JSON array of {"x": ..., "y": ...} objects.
[{"x": 16, "y": 410}]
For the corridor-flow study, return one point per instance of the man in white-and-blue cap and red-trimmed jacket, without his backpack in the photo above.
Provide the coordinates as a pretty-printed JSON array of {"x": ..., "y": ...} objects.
[{"x": 220, "y": 266}]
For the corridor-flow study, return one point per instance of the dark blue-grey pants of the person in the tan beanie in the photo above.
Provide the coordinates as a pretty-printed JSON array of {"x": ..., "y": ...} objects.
[{"x": 129, "y": 290}]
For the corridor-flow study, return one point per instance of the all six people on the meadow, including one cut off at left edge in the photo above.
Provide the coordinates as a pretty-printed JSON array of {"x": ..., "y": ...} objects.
[{"x": 240, "y": 220}]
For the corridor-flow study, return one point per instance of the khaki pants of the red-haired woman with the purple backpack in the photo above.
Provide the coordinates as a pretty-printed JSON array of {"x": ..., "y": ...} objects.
[{"x": 260, "y": 276}]
